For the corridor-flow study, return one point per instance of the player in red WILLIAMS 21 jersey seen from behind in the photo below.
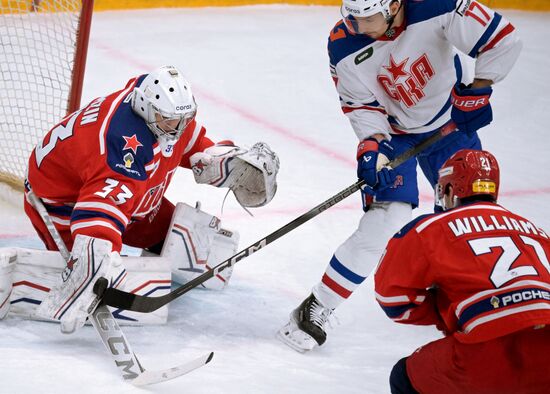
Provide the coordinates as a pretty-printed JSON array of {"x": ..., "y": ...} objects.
[{"x": 481, "y": 274}]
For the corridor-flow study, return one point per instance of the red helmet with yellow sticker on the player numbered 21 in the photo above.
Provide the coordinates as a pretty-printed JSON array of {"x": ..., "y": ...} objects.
[{"x": 470, "y": 173}]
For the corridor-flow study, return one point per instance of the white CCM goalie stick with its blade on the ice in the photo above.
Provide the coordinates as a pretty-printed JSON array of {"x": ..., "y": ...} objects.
[{"x": 109, "y": 331}]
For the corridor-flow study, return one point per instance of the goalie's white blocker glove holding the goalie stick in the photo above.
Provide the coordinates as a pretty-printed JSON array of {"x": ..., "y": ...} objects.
[{"x": 74, "y": 299}]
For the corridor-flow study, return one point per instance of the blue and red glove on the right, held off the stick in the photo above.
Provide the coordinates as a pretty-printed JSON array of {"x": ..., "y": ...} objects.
[{"x": 471, "y": 107}]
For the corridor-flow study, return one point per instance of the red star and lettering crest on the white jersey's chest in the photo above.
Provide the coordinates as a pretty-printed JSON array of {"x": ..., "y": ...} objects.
[{"x": 406, "y": 83}]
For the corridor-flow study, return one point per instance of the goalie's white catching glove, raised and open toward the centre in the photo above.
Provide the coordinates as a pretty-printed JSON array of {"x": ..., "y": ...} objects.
[{"x": 250, "y": 173}]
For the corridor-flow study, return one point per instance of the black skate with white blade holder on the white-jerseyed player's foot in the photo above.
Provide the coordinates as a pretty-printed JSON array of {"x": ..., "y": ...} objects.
[{"x": 306, "y": 328}]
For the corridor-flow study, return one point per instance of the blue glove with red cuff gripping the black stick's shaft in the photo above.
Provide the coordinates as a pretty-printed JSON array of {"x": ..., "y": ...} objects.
[{"x": 372, "y": 157}]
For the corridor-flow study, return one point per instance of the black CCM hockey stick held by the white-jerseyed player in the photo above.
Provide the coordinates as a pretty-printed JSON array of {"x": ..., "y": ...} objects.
[{"x": 132, "y": 302}]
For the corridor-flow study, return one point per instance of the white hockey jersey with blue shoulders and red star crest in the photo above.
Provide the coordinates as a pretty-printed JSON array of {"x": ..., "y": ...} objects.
[{"x": 402, "y": 84}]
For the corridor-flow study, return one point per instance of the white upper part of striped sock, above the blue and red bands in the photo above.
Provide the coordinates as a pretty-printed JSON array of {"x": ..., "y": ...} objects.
[{"x": 362, "y": 250}]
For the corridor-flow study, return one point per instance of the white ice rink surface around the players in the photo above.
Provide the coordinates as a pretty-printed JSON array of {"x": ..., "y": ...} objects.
[{"x": 261, "y": 73}]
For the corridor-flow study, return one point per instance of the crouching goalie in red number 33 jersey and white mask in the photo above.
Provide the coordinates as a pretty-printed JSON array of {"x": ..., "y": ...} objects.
[{"x": 102, "y": 173}]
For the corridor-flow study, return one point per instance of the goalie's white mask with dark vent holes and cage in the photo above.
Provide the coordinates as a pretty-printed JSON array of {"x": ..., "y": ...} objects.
[{"x": 165, "y": 101}]
